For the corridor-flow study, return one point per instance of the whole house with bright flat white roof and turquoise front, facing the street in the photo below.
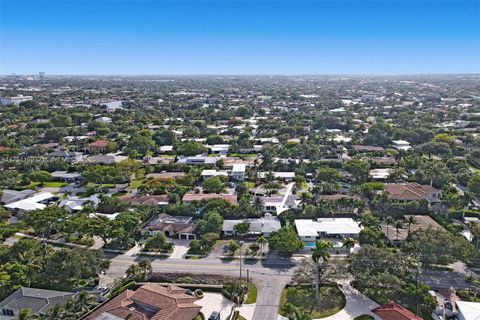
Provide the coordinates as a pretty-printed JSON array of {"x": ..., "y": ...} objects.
[{"x": 333, "y": 229}]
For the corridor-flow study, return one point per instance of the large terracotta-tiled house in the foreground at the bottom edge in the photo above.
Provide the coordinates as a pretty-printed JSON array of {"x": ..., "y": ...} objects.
[{"x": 150, "y": 301}]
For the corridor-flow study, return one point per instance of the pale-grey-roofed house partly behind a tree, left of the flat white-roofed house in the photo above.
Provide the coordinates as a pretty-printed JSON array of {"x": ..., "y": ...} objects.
[{"x": 262, "y": 226}]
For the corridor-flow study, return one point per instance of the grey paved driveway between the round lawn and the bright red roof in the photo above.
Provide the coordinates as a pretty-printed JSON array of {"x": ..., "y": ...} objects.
[{"x": 357, "y": 304}]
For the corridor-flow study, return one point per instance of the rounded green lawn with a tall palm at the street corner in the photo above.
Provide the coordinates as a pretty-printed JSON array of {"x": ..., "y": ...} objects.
[{"x": 331, "y": 300}]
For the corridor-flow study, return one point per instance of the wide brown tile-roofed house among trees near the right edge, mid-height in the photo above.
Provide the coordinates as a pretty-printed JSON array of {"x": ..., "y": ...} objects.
[{"x": 413, "y": 191}]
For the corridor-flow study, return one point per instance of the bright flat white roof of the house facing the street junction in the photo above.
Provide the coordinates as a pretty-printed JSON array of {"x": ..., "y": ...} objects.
[{"x": 333, "y": 226}]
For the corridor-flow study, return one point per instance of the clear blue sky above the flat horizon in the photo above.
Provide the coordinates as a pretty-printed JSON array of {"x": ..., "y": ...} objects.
[{"x": 240, "y": 37}]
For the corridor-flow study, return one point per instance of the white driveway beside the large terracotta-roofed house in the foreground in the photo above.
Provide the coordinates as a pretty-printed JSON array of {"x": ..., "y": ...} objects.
[{"x": 217, "y": 302}]
